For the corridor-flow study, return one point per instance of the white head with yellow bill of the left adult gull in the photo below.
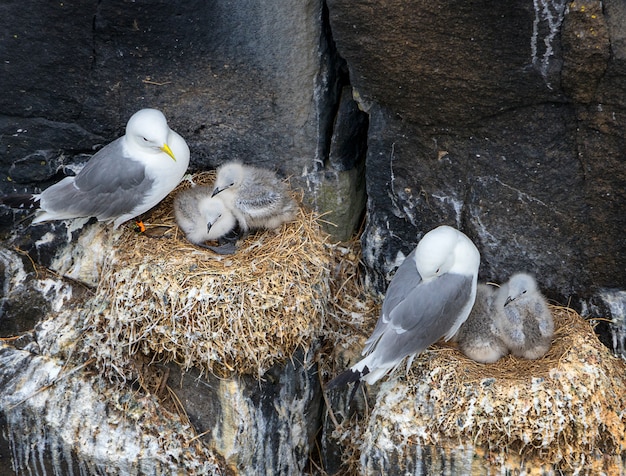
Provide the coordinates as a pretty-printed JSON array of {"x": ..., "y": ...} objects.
[{"x": 147, "y": 130}]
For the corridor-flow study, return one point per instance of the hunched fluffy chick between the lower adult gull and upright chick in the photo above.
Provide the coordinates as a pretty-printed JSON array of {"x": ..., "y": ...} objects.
[{"x": 478, "y": 337}]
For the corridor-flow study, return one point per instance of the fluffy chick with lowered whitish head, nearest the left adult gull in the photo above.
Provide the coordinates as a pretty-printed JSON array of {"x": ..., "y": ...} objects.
[{"x": 203, "y": 217}]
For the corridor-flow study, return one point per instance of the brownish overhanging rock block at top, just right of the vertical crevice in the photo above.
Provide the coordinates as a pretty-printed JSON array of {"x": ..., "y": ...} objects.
[{"x": 436, "y": 63}]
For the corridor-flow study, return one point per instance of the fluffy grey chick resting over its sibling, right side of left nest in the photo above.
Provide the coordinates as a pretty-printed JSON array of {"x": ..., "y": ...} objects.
[{"x": 256, "y": 196}]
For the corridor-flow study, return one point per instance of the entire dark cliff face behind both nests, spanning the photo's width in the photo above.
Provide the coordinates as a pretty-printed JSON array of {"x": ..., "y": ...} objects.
[{"x": 517, "y": 139}]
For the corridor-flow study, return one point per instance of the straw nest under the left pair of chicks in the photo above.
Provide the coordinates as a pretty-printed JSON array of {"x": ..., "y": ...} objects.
[{"x": 161, "y": 296}]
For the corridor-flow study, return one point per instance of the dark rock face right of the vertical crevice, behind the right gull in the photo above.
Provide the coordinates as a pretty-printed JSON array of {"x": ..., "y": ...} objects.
[{"x": 516, "y": 138}]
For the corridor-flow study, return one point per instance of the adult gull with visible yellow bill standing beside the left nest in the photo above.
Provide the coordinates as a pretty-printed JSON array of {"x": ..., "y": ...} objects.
[{"x": 122, "y": 180}]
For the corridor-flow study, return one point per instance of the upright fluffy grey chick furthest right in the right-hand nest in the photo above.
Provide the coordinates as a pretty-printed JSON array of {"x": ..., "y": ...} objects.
[{"x": 525, "y": 322}]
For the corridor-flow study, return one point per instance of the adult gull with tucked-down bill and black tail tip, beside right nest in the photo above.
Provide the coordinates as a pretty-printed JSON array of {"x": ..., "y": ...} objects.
[{"x": 429, "y": 297}]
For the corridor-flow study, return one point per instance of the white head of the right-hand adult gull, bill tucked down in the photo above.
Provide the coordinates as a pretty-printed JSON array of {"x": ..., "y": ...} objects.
[{"x": 445, "y": 250}]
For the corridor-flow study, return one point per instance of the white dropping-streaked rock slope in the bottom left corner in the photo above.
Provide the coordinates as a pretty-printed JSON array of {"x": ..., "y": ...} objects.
[{"x": 60, "y": 420}]
